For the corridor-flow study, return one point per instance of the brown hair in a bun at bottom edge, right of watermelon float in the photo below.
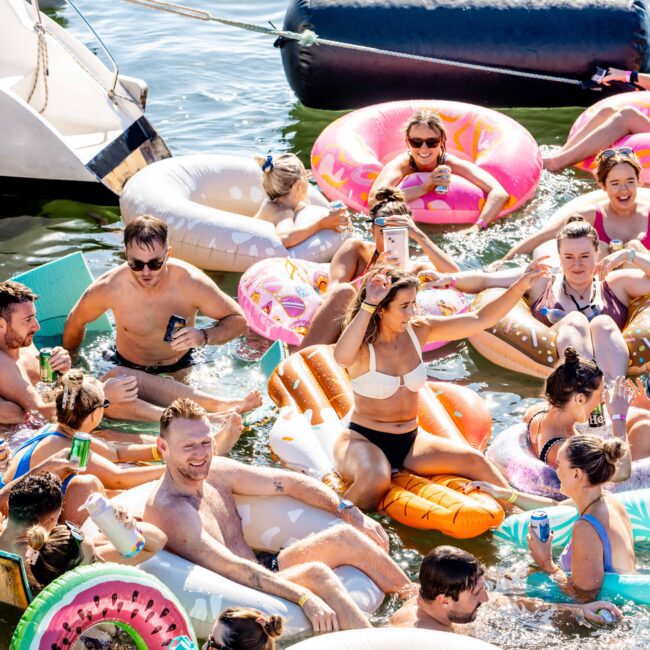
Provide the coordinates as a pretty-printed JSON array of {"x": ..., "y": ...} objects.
[{"x": 245, "y": 628}]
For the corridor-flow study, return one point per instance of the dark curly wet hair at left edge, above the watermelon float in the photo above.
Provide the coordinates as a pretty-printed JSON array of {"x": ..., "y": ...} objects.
[{"x": 34, "y": 497}]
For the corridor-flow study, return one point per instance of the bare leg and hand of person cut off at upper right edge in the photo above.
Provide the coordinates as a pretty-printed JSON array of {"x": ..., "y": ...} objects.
[{"x": 606, "y": 126}]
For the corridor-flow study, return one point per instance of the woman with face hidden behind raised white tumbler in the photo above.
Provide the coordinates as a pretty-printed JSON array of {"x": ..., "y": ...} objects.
[{"x": 357, "y": 257}]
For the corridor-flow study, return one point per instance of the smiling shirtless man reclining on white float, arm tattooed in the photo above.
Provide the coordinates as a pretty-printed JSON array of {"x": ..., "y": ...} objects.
[{"x": 198, "y": 491}]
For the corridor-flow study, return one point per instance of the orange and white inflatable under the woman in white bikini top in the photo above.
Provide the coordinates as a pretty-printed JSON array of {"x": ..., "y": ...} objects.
[{"x": 315, "y": 397}]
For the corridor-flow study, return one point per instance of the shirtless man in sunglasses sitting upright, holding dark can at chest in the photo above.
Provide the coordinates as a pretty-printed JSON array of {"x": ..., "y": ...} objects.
[{"x": 143, "y": 294}]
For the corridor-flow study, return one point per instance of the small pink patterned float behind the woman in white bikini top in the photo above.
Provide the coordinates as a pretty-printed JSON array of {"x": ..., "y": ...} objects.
[{"x": 280, "y": 297}]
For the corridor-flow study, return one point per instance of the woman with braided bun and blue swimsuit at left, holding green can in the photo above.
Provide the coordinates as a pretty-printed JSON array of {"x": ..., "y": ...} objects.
[{"x": 80, "y": 404}]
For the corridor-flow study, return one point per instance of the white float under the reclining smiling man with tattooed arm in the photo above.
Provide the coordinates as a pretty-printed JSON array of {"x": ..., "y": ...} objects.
[{"x": 269, "y": 524}]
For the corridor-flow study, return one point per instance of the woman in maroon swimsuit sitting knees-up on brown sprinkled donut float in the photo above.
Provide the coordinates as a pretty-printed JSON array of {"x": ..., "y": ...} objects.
[{"x": 593, "y": 295}]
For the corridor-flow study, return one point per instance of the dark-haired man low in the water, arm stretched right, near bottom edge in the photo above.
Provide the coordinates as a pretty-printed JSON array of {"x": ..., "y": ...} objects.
[{"x": 452, "y": 588}]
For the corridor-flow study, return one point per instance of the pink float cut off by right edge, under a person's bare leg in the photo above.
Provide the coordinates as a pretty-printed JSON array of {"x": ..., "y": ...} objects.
[{"x": 640, "y": 142}]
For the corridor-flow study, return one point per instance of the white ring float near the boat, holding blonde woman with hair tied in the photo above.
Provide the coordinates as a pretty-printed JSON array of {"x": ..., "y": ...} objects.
[{"x": 208, "y": 200}]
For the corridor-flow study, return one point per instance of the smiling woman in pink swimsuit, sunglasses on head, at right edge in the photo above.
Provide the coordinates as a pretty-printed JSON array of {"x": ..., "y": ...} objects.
[{"x": 620, "y": 212}]
